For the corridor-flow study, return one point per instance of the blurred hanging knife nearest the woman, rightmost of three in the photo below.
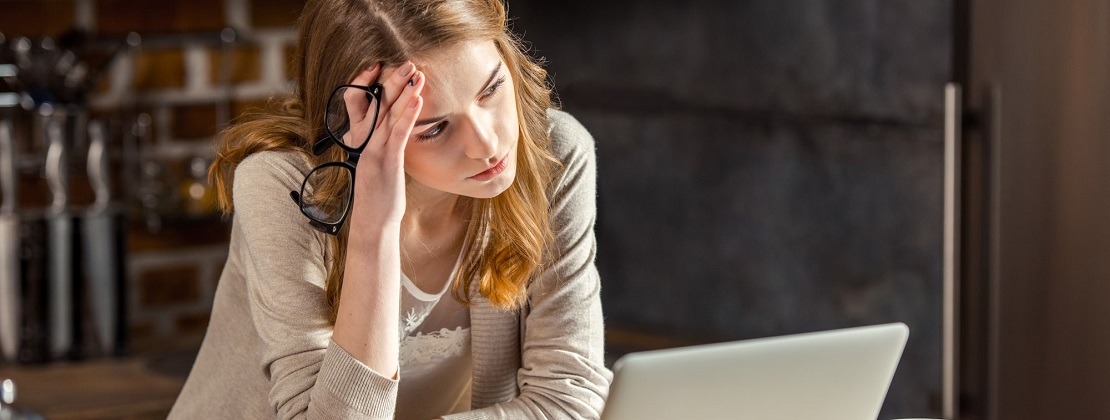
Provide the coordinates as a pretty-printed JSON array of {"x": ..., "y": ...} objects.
[{"x": 99, "y": 238}]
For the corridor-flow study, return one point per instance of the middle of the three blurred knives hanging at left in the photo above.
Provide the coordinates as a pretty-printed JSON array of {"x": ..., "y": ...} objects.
[{"x": 60, "y": 237}]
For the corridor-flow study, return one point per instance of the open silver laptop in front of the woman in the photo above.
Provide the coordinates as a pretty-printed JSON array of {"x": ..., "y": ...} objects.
[{"x": 830, "y": 376}]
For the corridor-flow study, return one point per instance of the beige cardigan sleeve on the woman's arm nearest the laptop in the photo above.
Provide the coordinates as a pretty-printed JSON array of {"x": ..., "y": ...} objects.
[{"x": 563, "y": 374}]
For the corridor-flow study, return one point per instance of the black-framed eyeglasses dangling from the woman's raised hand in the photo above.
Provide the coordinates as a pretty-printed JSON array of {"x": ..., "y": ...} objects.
[{"x": 328, "y": 191}]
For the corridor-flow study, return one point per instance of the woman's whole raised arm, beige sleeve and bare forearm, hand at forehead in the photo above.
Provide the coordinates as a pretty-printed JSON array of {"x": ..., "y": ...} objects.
[{"x": 317, "y": 372}]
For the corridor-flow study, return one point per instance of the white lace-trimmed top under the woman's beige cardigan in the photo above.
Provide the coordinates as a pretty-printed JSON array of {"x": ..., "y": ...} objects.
[{"x": 436, "y": 354}]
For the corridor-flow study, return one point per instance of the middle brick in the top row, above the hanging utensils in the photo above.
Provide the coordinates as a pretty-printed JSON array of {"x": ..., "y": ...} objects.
[{"x": 159, "y": 17}]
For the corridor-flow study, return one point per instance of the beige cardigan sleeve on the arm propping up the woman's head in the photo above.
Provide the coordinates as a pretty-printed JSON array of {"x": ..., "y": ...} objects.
[{"x": 310, "y": 376}]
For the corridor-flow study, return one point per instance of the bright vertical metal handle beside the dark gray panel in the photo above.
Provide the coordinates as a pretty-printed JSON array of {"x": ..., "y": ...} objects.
[{"x": 954, "y": 145}]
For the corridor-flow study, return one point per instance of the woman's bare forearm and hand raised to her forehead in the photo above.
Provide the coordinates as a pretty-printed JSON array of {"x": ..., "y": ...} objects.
[{"x": 367, "y": 324}]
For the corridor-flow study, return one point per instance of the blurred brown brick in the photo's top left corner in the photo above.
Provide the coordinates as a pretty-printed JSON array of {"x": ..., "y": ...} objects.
[{"x": 36, "y": 18}]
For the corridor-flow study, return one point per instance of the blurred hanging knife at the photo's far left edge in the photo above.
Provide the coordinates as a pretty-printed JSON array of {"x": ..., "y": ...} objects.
[{"x": 11, "y": 289}]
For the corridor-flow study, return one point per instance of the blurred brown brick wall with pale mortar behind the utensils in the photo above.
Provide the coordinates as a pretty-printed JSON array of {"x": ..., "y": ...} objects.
[{"x": 186, "y": 83}]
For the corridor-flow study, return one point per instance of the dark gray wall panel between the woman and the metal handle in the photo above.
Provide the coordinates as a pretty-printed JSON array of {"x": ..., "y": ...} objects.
[{"x": 765, "y": 167}]
